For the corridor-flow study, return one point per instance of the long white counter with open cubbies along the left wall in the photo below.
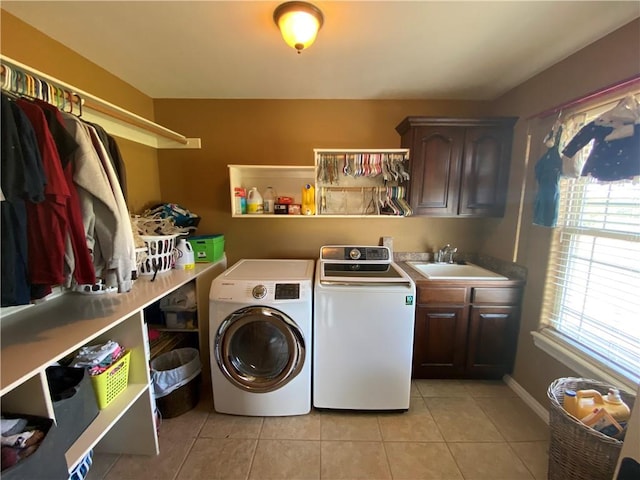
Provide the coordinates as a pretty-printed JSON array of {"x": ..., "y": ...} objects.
[{"x": 35, "y": 337}]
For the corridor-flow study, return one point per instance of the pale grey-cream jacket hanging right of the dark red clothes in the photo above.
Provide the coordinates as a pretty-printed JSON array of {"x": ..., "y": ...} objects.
[{"x": 104, "y": 212}]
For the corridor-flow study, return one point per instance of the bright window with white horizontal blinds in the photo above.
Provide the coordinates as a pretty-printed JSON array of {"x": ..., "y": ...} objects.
[{"x": 592, "y": 289}]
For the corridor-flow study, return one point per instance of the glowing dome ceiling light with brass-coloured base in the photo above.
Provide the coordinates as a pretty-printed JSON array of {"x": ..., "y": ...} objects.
[{"x": 299, "y": 23}]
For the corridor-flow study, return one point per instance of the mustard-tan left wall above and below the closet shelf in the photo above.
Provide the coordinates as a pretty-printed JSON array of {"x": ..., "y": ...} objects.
[{"x": 22, "y": 43}]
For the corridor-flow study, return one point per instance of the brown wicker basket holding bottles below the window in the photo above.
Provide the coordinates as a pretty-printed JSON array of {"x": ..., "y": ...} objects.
[{"x": 575, "y": 450}]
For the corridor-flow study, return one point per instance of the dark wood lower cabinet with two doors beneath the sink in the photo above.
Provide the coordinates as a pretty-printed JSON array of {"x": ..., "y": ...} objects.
[{"x": 466, "y": 339}]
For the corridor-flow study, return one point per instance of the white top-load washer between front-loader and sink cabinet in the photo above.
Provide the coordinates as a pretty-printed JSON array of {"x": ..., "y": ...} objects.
[{"x": 364, "y": 310}]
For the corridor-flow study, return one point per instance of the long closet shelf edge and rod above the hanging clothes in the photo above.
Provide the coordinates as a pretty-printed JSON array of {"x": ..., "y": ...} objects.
[{"x": 110, "y": 110}]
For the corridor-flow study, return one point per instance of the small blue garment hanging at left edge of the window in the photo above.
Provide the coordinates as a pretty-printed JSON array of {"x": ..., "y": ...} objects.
[{"x": 548, "y": 170}]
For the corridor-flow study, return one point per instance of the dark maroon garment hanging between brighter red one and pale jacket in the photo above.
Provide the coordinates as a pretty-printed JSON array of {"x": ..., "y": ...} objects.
[{"x": 78, "y": 261}]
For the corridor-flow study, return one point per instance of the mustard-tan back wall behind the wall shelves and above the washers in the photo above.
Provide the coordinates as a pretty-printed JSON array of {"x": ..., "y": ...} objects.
[{"x": 275, "y": 132}]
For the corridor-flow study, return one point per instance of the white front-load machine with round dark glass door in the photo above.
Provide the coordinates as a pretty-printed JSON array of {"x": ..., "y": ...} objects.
[{"x": 260, "y": 337}]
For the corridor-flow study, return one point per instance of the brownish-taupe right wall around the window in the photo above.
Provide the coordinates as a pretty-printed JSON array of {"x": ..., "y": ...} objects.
[{"x": 614, "y": 58}]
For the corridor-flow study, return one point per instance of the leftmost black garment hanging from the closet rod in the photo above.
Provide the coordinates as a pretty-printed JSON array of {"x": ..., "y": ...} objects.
[{"x": 22, "y": 179}]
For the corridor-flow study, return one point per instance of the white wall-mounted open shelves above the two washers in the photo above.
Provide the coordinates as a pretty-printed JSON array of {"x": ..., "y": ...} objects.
[{"x": 288, "y": 180}]
